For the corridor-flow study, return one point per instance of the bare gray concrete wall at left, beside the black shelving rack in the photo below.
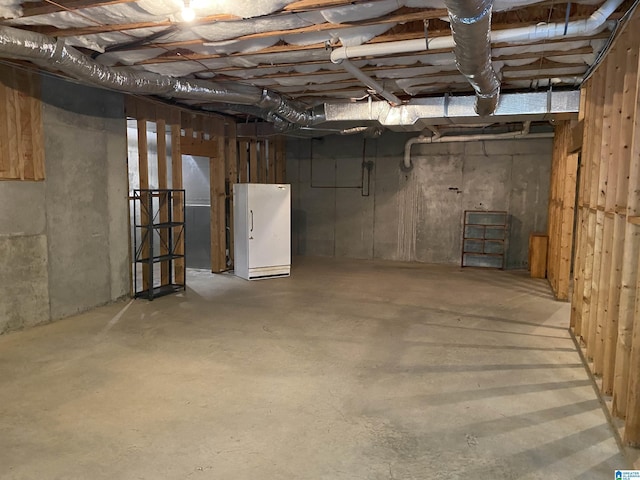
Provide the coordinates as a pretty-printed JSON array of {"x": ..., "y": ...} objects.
[{"x": 64, "y": 241}]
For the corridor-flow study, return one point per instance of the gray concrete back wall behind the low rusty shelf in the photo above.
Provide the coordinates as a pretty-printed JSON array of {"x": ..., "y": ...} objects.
[{"x": 416, "y": 215}]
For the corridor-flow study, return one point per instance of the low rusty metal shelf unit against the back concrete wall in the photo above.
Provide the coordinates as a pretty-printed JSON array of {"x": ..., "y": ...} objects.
[{"x": 484, "y": 239}]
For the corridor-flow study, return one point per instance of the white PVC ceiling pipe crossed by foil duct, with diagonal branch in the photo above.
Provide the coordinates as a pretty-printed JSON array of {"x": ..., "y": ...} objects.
[{"x": 592, "y": 25}]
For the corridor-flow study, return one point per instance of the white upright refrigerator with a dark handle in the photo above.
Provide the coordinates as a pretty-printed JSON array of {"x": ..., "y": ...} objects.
[{"x": 262, "y": 230}]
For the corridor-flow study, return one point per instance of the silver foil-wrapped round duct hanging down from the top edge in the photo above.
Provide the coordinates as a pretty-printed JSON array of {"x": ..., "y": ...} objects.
[{"x": 471, "y": 30}]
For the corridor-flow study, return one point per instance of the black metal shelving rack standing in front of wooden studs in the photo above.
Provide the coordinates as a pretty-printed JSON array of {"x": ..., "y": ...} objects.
[{"x": 167, "y": 233}]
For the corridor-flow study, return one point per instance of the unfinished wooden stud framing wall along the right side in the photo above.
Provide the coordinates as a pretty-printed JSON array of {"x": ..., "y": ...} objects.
[{"x": 606, "y": 299}]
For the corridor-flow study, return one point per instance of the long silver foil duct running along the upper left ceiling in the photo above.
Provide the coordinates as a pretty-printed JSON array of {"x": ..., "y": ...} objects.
[{"x": 16, "y": 43}]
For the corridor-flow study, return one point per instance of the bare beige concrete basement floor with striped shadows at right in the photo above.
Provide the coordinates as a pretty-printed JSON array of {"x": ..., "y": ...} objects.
[{"x": 346, "y": 370}]
